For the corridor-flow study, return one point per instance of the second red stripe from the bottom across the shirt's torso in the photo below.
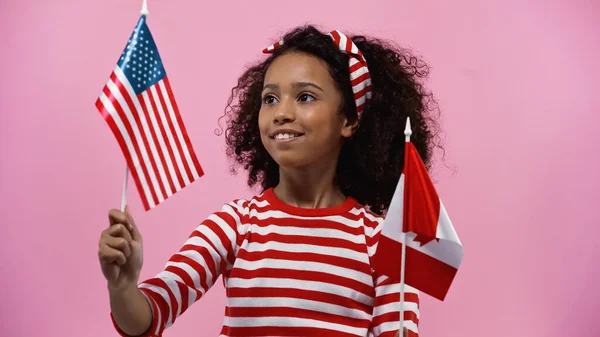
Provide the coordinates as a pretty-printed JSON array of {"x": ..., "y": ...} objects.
[{"x": 297, "y": 313}]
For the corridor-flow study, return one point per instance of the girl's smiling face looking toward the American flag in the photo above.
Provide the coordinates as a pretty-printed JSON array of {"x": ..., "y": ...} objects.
[{"x": 300, "y": 119}]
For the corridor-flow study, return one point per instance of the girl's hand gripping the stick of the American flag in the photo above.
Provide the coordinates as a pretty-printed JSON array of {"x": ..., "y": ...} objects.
[{"x": 120, "y": 251}]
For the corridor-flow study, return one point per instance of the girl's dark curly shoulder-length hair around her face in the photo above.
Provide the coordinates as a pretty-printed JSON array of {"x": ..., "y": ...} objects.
[{"x": 370, "y": 162}]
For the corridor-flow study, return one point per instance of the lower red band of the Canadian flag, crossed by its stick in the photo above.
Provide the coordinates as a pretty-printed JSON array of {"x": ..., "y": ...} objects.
[{"x": 423, "y": 272}]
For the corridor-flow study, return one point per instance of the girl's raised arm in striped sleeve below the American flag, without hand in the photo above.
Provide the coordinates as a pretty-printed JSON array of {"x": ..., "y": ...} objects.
[{"x": 157, "y": 302}]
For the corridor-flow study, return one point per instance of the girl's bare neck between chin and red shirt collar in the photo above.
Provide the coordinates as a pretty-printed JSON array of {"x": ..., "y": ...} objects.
[{"x": 309, "y": 187}]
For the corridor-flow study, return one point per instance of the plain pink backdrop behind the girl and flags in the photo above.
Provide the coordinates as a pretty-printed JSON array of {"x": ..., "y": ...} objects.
[{"x": 518, "y": 84}]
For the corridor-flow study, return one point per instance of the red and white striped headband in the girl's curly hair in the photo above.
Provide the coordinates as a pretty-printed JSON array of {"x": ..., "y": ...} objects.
[{"x": 360, "y": 78}]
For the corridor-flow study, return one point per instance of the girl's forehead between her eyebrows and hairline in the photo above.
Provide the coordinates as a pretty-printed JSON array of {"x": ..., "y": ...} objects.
[{"x": 298, "y": 67}]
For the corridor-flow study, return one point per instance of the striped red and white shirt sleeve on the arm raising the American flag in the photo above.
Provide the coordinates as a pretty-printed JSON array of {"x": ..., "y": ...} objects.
[{"x": 207, "y": 253}]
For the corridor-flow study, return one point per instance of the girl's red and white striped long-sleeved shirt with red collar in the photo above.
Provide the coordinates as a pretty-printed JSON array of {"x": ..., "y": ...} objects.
[{"x": 287, "y": 271}]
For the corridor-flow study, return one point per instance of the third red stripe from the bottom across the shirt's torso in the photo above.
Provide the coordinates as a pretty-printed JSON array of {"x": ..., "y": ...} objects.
[{"x": 310, "y": 295}]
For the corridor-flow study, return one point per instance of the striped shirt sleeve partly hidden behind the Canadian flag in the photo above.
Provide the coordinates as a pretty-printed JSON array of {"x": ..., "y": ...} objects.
[{"x": 386, "y": 307}]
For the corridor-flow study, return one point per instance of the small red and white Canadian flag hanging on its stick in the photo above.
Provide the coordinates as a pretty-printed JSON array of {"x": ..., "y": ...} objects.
[{"x": 417, "y": 216}]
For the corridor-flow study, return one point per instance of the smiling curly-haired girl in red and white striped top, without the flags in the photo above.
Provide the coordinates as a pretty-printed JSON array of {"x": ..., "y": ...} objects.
[{"x": 319, "y": 125}]
